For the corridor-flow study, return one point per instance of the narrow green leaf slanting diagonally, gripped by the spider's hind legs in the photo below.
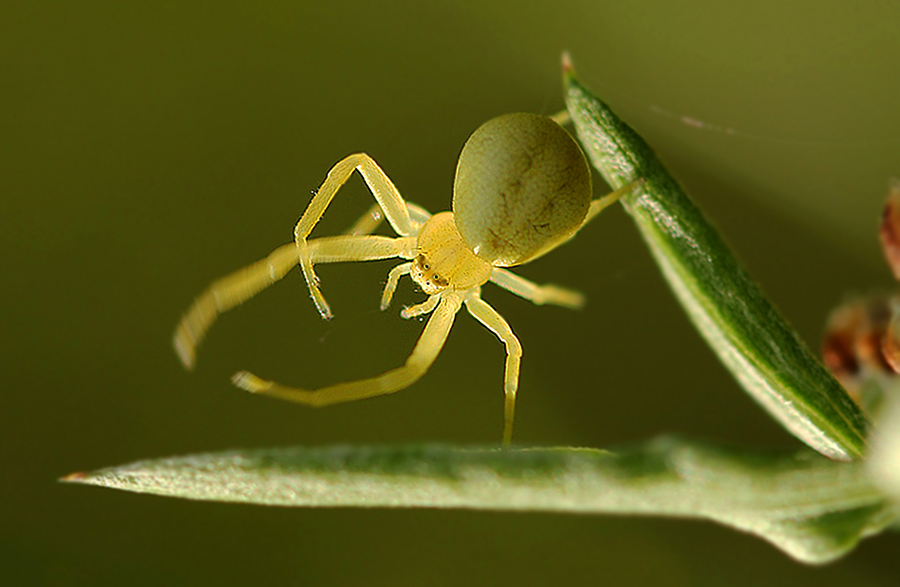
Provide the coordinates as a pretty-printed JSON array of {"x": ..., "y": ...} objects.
[{"x": 751, "y": 338}]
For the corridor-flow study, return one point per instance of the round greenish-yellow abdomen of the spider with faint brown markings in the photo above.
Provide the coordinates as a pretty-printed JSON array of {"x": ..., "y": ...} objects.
[{"x": 522, "y": 186}]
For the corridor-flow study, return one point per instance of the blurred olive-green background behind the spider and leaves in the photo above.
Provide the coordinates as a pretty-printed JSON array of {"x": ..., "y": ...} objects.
[{"x": 148, "y": 148}]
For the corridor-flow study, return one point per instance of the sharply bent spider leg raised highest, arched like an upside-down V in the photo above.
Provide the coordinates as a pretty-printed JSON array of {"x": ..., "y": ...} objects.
[{"x": 385, "y": 193}]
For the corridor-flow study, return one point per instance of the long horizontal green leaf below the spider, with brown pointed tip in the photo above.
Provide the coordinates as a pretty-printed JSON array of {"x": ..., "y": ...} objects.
[{"x": 813, "y": 508}]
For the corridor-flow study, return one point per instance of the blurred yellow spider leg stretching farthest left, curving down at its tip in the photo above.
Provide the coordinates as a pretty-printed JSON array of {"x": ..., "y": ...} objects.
[{"x": 233, "y": 290}]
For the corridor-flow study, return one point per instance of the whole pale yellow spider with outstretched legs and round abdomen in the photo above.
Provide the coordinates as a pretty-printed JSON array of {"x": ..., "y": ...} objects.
[{"x": 522, "y": 188}]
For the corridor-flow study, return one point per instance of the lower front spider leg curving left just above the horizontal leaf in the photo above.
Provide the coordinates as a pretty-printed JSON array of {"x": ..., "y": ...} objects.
[{"x": 423, "y": 355}]
